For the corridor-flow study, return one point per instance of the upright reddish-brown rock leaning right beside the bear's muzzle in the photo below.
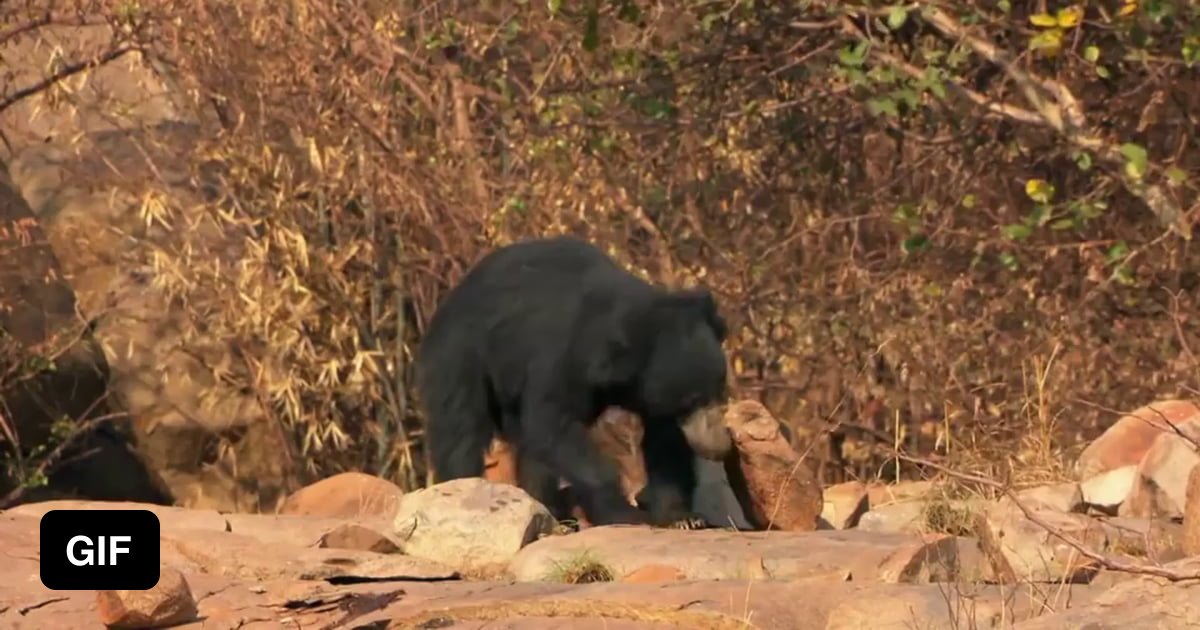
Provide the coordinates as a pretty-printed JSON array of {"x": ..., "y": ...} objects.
[{"x": 772, "y": 483}]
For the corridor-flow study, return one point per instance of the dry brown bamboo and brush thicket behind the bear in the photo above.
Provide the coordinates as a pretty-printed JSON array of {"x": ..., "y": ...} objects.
[{"x": 956, "y": 230}]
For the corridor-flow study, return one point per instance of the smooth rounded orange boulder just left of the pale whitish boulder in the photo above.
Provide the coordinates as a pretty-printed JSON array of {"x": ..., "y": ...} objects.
[{"x": 346, "y": 495}]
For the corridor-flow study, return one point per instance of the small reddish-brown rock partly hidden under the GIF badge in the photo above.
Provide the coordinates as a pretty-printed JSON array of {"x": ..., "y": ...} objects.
[{"x": 170, "y": 603}]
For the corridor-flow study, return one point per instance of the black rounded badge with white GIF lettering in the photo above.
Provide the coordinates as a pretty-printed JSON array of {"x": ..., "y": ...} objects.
[{"x": 86, "y": 550}]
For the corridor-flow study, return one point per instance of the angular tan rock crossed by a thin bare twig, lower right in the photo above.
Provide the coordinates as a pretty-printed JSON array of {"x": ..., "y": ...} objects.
[{"x": 1024, "y": 551}]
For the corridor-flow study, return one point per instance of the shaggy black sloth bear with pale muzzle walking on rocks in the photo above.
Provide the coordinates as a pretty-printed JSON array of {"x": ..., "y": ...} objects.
[{"x": 537, "y": 340}]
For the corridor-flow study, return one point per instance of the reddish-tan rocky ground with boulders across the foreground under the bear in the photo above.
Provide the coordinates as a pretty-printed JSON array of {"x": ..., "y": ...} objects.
[{"x": 1119, "y": 549}]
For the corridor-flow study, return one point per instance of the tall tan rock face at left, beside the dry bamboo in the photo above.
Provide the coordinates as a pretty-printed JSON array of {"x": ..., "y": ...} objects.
[{"x": 85, "y": 167}]
